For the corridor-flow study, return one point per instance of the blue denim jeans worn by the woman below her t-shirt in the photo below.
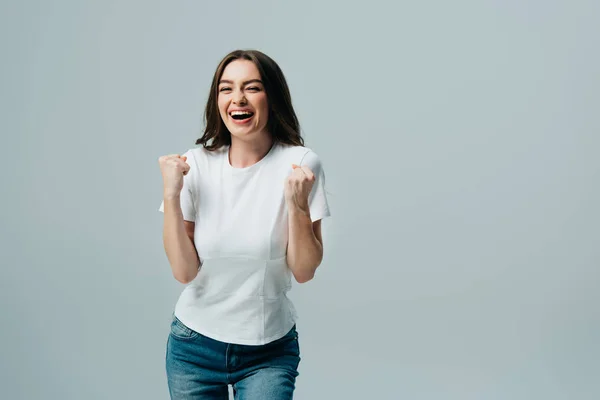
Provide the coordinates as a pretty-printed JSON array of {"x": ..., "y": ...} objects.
[{"x": 199, "y": 367}]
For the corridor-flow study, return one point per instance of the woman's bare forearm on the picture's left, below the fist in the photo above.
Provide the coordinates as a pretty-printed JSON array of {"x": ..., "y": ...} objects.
[{"x": 180, "y": 250}]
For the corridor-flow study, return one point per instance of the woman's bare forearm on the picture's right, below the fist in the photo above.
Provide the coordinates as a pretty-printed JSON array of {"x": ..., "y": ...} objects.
[{"x": 305, "y": 252}]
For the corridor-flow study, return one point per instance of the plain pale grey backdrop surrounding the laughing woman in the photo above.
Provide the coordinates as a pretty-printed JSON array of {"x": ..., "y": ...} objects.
[{"x": 460, "y": 142}]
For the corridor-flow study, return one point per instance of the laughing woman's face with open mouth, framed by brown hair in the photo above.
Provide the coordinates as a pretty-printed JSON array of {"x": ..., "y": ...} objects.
[{"x": 242, "y": 100}]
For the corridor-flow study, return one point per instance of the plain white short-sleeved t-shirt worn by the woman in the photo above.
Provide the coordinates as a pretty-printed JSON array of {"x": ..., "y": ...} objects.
[{"x": 241, "y": 234}]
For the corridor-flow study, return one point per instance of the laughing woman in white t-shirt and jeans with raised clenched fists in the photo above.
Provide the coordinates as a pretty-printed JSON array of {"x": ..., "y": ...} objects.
[{"x": 242, "y": 214}]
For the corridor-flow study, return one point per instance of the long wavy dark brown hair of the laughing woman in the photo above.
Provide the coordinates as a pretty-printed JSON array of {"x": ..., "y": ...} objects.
[{"x": 282, "y": 122}]
